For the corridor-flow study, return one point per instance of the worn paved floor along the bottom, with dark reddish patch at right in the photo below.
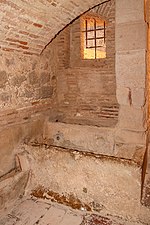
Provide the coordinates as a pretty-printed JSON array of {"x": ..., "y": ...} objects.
[{"x": 40, "y": 212}]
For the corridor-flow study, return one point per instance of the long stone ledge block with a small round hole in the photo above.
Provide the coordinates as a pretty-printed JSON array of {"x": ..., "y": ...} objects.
[{"x": 79, "y": 137}]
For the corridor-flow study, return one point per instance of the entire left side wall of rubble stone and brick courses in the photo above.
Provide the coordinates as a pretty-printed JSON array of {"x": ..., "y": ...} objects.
[{"x": 27, "y": 90}]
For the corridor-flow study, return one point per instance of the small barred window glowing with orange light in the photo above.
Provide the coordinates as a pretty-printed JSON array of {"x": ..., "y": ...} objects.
[{"x": 93, "y": 35}]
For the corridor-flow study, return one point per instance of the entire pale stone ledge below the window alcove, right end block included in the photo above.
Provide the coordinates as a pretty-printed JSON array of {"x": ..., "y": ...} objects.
[{"x": 96, "y": 140}]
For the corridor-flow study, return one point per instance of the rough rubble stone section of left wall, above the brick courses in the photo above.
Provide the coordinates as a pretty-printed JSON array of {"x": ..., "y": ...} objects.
[{"x": 24, "y": 80}]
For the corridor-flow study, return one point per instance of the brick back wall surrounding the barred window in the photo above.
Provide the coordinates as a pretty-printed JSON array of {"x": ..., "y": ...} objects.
[{"x": 86, "y": 89}]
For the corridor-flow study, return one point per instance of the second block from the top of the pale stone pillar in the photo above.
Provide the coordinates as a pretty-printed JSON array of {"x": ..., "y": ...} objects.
[{"x": 131, "y": 36}]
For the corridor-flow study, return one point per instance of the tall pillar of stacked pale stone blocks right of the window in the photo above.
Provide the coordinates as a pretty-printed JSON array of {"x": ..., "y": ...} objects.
[{"x": 131, "y": 48}]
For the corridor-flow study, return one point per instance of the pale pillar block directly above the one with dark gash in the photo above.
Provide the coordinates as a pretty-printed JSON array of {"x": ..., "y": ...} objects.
[{"x": 131, "y": 69}]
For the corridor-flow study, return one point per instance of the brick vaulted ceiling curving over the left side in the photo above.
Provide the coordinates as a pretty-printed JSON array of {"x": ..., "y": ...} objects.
[{"x": 28, "y": 26}]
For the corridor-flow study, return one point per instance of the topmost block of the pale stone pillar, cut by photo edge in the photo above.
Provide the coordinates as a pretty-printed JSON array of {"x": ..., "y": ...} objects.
[{"x": 129, "y": 11}]
